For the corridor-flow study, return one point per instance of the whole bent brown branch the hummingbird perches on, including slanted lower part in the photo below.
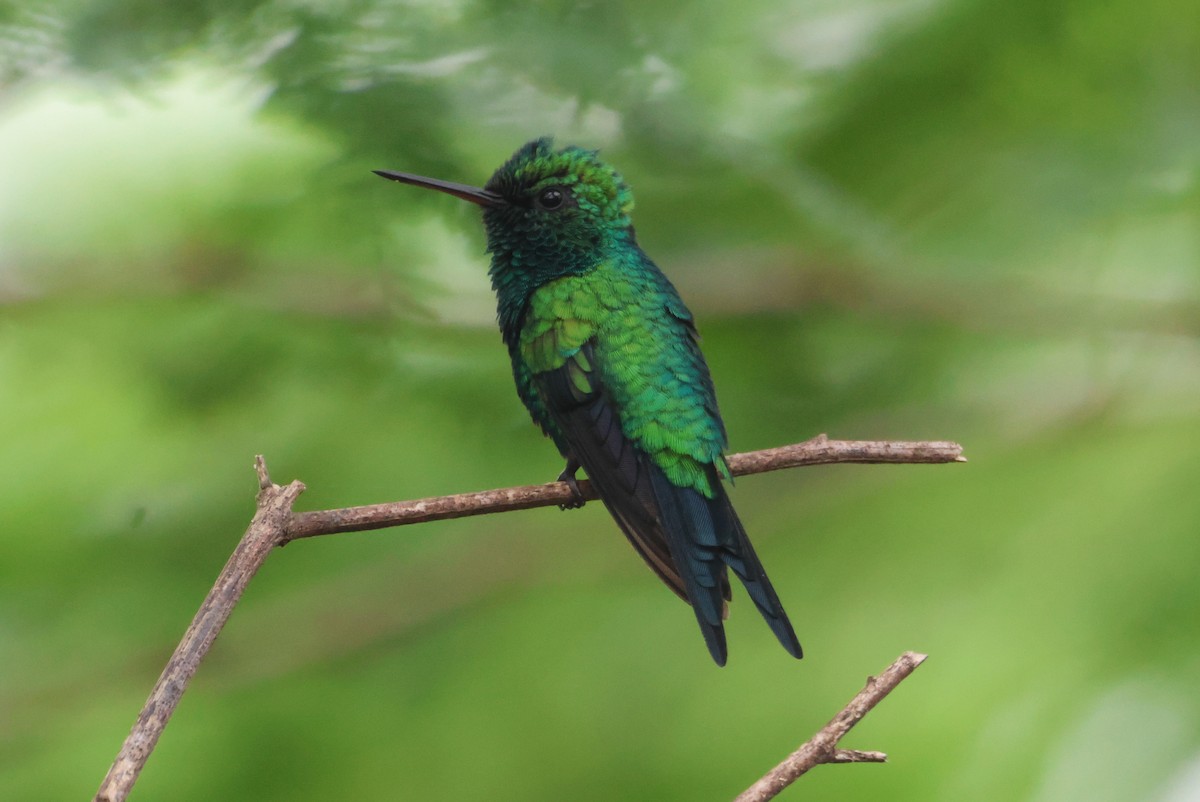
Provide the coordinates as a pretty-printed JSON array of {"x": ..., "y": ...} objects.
[{"x": 275, "y": 525}]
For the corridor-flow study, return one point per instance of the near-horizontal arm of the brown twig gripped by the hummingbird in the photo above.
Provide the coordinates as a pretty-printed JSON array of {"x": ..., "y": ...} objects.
[{"x": 819, "y": 451}]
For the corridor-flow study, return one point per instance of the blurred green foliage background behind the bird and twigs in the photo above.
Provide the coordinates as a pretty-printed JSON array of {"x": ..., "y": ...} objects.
[{"x": 973, "y": 220}]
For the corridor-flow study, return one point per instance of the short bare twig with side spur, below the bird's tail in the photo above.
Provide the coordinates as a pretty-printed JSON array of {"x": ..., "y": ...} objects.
[{"x": 823, "y": 747}]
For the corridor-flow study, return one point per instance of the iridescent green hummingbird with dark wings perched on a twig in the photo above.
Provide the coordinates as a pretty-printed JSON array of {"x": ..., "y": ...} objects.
[{"x": 607, "y": 360}]
